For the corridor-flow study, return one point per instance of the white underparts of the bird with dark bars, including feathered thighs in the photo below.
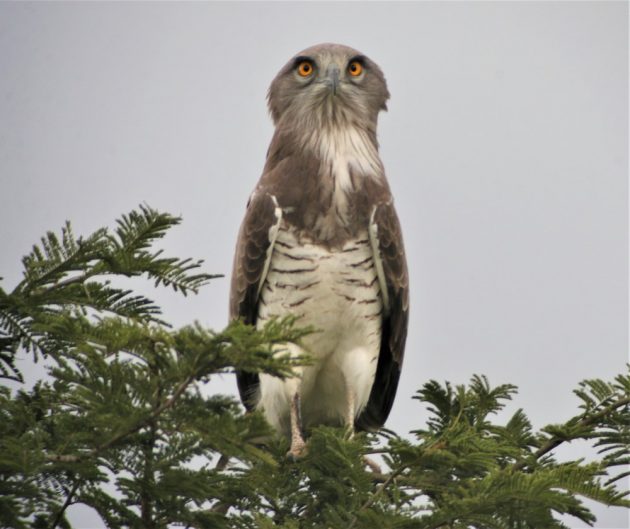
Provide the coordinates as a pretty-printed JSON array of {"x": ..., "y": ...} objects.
[{"x": 337, "y": 292}]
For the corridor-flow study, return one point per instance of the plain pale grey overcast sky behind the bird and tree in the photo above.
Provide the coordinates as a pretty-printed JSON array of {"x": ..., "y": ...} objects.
[{"x": 506, "y": 147}]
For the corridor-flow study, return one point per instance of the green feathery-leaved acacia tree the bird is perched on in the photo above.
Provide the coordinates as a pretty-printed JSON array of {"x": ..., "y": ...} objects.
[{"x": 119, "y": 423}]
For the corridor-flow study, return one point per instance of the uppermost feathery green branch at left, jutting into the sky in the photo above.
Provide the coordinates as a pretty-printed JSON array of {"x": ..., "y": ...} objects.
[{"x": 65, "y": 276}]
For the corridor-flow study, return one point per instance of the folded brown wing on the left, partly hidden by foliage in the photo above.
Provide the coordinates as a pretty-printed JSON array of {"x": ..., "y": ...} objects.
[{"x": 251, "y": 261}]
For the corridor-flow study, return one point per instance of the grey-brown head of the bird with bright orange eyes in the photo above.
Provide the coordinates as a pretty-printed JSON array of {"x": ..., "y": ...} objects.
[{"x": 328, "y": 85}]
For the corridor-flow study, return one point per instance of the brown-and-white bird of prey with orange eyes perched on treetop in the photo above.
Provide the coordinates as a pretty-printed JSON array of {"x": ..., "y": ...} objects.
[{"x": 321, "y": 240}]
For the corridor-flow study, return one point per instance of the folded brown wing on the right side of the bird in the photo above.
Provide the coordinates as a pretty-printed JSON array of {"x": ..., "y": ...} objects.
[{"x": 392, "y": 267}]
